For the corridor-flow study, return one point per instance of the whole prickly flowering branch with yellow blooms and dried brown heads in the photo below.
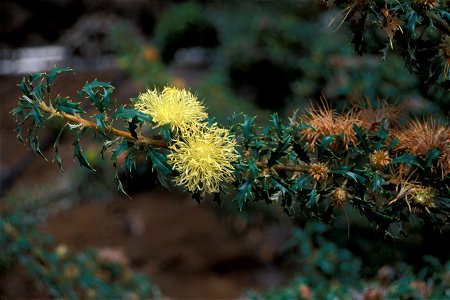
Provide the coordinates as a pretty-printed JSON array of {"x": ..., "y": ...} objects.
[{"x": 315, "y": 163}]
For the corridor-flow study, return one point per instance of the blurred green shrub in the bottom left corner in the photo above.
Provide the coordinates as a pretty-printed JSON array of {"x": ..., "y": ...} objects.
[{"x": 62, "y": 273}]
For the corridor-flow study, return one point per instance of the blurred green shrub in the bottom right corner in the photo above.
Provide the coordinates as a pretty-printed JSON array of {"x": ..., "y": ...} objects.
[{"x": 324, "y": 270}]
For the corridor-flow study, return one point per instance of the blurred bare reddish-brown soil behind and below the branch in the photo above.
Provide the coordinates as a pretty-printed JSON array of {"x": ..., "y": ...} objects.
[{"x": 185, "y": 248}]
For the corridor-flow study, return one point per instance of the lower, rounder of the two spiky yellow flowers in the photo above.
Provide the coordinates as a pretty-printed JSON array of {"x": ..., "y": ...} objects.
[{"x": 203, "y": 157}]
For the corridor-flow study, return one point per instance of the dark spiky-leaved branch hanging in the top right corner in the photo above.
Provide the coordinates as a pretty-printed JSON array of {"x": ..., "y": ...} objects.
[{"x": 419, "y": 30}]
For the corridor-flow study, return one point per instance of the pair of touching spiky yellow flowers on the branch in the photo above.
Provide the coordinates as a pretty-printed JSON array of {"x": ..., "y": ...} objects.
[{"x": 201, "y": 154}]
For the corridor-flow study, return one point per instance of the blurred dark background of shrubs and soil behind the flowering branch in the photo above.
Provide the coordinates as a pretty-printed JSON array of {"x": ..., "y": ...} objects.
[{"x": 256, "y": 57}]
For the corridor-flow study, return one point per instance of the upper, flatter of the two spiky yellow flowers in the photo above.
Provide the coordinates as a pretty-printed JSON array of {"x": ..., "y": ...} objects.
[{"x": 175, "y": 107}]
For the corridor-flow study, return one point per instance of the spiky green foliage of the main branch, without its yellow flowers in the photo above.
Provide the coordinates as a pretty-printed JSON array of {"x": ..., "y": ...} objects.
[{"x": 297, "y": 165}]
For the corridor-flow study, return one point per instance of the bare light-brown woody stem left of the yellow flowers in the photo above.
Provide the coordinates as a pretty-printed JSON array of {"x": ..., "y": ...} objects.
[{"x": 114, "y": 131}]
